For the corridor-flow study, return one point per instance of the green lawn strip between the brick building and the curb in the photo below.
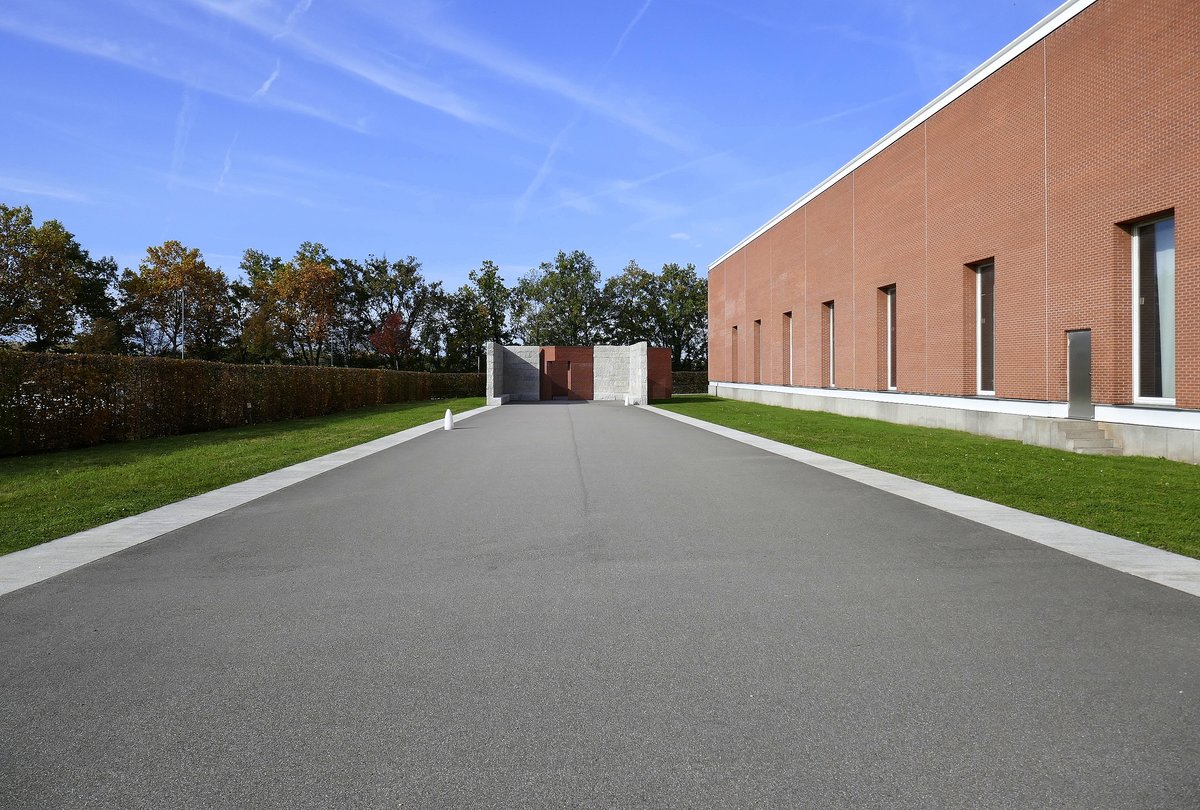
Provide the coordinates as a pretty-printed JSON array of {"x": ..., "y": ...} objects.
[{"x": 1151, "y": 501}]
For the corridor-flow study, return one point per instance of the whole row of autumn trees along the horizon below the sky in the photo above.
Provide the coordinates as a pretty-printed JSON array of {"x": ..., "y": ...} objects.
[{"x": 314, "y": 309}]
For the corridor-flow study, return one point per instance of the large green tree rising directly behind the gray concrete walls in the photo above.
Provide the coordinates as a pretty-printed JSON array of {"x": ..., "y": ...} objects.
[{"x": 561, "y": 303}]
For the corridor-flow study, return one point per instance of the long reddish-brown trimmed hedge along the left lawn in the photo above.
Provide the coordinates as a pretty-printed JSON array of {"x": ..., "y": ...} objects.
[{"x": 55, "y": 403}]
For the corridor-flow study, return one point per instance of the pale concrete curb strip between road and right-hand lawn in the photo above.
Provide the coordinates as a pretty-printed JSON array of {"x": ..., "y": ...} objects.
[{"x": 1155, "y": 565}]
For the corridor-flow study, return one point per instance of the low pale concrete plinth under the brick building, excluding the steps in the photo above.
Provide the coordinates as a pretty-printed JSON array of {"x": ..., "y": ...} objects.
[{"x": 1178, "y": 445}]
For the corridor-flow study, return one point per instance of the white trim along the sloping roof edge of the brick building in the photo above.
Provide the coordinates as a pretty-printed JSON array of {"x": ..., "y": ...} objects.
[{"x": 1009, "y": 53}]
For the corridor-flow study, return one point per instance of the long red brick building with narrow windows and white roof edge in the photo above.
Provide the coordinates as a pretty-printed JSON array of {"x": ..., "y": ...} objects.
[{"x": 1047, "y": 201}]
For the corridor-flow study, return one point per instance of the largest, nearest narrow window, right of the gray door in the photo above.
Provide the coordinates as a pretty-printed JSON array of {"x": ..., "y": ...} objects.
[{"x": 1154, "y": 311}]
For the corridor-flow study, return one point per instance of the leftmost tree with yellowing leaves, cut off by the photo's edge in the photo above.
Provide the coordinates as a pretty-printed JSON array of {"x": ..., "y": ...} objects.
[{"x": 43, "y": 272}]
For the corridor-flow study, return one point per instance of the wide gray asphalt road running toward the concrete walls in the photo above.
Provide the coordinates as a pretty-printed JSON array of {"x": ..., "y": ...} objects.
[{"x": 590, "y": 605}]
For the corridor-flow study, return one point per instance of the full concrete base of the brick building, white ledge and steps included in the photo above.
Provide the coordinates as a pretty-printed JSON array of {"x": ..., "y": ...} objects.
[{"x": 1043, "y": 424}]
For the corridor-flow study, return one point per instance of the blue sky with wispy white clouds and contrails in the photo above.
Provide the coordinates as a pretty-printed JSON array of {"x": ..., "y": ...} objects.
[{"x": 649, "y": 130}]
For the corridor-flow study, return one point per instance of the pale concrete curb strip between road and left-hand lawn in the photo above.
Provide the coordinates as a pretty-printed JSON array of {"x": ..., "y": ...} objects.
[{"x": 38, "y": 563}]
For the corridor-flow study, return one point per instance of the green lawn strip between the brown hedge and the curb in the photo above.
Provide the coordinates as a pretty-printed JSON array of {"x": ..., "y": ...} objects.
[{"x": 53, "y": 495}]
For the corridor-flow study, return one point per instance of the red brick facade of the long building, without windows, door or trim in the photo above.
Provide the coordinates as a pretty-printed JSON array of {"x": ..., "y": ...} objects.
[{"x": 1041, "y": 167}]
